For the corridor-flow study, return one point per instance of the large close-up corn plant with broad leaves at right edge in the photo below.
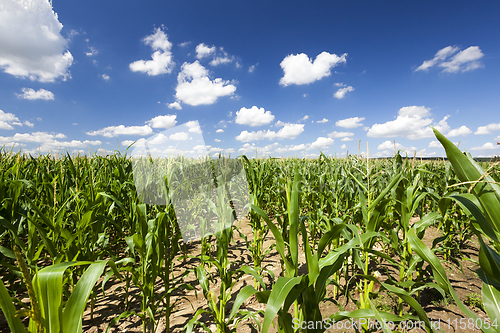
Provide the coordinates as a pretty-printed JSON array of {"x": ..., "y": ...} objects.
[{"x": 482, "y": 204}]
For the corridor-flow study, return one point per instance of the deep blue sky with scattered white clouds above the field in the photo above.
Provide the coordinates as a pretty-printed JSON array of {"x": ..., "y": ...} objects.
[{"x": 284, "y": 78}]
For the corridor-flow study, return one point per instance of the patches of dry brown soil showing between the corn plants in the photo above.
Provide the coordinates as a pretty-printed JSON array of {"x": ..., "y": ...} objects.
[{"x": 108, "y": 307}]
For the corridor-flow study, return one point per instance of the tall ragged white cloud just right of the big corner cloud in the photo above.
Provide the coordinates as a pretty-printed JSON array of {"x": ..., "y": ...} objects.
[{"x": 162, "y": 60}]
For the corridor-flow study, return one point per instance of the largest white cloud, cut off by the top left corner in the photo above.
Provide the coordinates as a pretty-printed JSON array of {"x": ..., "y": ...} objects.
[{"x": 32, "y": 46}]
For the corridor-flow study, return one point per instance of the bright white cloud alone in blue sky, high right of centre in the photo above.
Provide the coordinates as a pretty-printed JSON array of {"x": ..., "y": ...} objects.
[{"x": 300, "y": 69}]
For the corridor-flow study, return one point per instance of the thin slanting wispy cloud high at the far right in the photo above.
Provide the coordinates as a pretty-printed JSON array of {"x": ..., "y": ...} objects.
[{"x": 453, "y": 62}]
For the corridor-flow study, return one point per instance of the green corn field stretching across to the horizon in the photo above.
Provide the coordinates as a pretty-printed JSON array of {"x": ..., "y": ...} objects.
[{"x": 72, "y": 227}]
